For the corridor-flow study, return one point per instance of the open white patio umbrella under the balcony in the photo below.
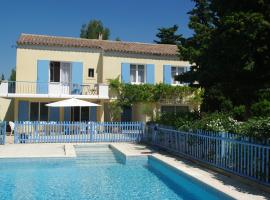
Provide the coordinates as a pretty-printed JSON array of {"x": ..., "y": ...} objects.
[{"x": 72, "y": 103}]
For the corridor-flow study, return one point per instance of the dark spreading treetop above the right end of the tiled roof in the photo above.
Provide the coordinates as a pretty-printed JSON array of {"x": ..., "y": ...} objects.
[{"x": 168, "y": 35}]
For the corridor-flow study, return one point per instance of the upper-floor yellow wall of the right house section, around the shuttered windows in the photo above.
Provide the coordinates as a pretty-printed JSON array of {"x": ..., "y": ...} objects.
[{"x": 112, "y": 64}]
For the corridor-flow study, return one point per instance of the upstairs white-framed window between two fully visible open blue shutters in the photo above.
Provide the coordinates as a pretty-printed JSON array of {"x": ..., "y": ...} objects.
[{"x": 137, "y": 73}]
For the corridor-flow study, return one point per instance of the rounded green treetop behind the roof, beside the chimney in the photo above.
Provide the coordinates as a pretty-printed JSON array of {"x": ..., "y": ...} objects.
[{"x": 93, "y": 29}]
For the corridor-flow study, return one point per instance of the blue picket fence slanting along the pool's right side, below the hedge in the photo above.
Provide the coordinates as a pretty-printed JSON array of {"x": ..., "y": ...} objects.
[{"x": 240, "y": 157}]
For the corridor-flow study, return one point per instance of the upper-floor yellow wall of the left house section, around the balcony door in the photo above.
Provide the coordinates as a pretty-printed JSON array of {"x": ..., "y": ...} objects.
[{"x": 27, "y": 56}]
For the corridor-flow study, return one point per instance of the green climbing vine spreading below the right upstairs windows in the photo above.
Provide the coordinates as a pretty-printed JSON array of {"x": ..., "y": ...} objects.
[{"x": 129, "y": 94}]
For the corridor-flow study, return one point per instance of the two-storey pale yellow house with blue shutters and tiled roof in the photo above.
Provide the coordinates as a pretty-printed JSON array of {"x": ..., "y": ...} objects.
[{"x": 50, "y": 68}]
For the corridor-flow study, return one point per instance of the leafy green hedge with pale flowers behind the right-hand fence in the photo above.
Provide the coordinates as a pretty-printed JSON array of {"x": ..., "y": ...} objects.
[{"x": 218, "y": 122}]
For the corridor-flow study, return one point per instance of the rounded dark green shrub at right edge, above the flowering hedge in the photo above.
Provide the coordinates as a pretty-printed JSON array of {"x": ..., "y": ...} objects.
[{"x": 261, "y": 109}]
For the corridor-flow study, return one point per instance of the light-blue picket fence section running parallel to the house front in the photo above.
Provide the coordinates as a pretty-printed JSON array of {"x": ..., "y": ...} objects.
[{"x": 66, "y": 132}]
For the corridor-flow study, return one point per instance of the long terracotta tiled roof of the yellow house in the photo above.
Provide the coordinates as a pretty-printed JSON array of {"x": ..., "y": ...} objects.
[{"x": 106, "y": 45}]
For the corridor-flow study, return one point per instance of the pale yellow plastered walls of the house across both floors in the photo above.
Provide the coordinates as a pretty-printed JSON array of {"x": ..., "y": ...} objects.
[{"x": 107, "y": 65}]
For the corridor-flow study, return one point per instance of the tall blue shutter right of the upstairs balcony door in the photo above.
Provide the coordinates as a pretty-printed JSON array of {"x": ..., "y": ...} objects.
[{"x": 77, "y": 76}]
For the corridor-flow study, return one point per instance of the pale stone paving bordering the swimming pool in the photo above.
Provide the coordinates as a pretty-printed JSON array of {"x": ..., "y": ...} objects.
[{"x": 221, "y": 182}]
